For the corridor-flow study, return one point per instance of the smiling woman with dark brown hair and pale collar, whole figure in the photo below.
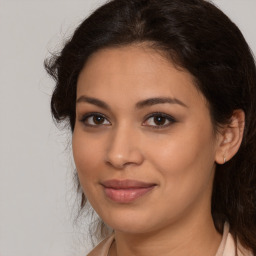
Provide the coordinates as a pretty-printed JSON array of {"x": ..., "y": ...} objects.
[{"x": 159, "y": 96}]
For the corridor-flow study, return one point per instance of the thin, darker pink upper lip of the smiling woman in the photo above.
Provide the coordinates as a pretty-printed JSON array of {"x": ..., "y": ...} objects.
[{"x": 126, "y": 184}]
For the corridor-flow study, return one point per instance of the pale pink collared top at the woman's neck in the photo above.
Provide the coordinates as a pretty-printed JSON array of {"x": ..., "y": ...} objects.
[{"x": 227, "y": 246}]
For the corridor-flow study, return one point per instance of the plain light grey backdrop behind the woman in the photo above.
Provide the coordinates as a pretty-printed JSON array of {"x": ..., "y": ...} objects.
[{"x": 37, "y": 196}]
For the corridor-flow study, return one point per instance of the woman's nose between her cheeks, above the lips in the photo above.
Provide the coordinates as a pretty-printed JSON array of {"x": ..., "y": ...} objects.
[{"x": 123, "y": 148}]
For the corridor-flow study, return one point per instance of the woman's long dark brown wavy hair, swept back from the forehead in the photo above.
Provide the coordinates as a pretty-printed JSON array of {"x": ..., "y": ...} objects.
[{"x": 199, "y": 37}]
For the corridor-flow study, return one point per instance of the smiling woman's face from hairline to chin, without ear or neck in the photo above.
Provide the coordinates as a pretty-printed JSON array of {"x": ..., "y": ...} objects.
[{"x": 143, "y": 141}]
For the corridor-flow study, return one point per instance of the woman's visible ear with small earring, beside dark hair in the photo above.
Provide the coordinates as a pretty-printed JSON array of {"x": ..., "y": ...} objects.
[{"x": 230, "y": 137}]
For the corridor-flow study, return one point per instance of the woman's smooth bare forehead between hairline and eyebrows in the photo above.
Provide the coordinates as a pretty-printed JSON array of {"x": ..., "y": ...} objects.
[{"x": 136, "y": 71}]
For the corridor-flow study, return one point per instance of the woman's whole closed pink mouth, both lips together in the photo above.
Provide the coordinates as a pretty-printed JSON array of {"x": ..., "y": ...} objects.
[{"x": 126, "y": 191}]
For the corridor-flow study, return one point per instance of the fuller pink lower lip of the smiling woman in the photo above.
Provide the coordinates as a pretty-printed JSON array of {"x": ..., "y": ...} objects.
[{"x": 126, "y": 195}]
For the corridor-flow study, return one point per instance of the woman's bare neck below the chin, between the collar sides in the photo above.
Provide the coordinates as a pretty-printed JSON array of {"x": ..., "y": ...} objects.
[{"x": 198, "y": 238}]
